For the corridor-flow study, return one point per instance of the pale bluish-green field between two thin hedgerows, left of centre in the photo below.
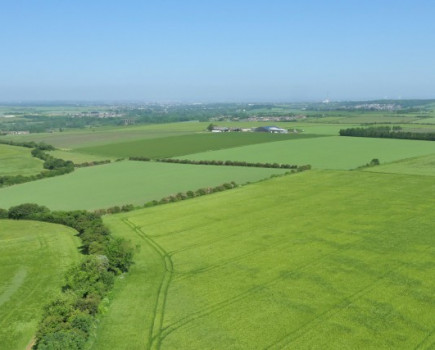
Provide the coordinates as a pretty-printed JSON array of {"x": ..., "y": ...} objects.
[{"x": 125, "y": 182}]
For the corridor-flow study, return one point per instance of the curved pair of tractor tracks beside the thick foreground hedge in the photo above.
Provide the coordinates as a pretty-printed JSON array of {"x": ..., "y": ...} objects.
[{"x": 154, "y": 338}]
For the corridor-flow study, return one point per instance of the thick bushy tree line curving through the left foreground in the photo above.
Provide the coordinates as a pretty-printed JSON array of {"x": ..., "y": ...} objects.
[{"x": 67, "y": 320}]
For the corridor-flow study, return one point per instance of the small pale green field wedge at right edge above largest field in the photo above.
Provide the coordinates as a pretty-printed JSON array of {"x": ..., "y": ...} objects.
[{"x": 424, "y": 165}]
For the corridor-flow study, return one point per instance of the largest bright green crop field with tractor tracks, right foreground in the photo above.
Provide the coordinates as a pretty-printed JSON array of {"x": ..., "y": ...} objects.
[{"x": 321, "y": 259}]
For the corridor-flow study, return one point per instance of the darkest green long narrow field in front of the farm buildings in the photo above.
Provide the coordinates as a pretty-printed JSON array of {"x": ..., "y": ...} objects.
[{"x": 181, "y": 145}]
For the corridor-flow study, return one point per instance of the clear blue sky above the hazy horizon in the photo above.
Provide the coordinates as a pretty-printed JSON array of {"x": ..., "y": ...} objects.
[{"x": 200, "y": 51}]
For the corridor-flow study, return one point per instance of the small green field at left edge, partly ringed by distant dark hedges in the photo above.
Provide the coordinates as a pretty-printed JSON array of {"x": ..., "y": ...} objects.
[{"x": 18, "y": 161}]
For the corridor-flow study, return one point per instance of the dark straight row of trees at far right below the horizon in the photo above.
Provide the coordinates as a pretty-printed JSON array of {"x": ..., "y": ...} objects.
[{"x": 388, "y": 132}]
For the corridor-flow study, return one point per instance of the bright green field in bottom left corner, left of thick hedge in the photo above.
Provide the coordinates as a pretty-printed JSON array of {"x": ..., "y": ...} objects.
[{"x": 33, "y": 259}]
